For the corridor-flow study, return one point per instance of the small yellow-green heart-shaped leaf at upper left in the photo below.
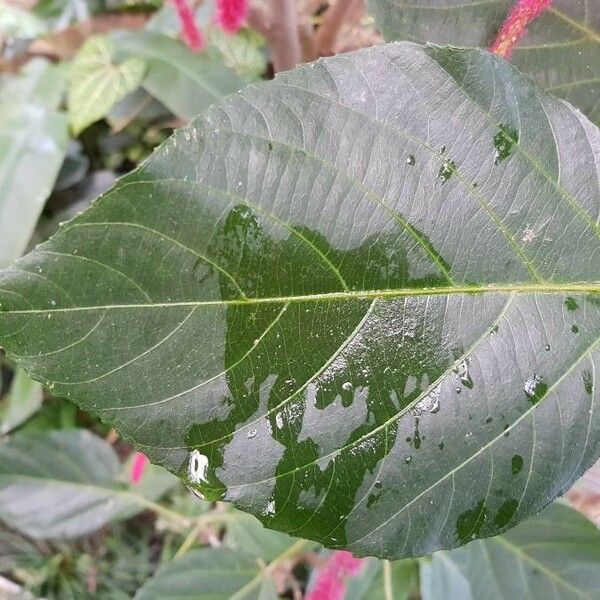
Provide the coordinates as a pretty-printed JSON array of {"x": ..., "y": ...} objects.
[{"x": 96, "y": 83}]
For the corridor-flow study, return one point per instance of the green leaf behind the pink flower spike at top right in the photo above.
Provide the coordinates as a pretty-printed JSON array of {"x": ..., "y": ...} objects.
[{"x": 561, "y": 49}]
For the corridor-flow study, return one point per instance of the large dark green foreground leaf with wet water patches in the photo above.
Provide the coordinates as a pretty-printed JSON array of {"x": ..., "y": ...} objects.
[{"x": 365, "y": 294}]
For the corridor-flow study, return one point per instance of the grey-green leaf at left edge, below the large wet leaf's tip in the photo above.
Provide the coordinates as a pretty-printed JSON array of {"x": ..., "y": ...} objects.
[{"x": 65, "y": 484}]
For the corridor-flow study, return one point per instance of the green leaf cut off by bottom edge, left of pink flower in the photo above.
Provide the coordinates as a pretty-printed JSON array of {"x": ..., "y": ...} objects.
[{"x": 205, "y": 574}]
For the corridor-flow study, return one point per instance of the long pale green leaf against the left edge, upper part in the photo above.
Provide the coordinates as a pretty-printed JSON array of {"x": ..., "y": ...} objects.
[{"x": 33, "y": 143}]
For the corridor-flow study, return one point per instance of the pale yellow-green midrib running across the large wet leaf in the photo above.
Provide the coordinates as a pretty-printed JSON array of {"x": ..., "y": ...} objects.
[{"x": 509, "y": 288}]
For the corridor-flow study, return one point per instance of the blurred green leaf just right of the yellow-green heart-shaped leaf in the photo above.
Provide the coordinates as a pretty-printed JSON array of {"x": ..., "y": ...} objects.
[{"x": 184, "y": 81}]
